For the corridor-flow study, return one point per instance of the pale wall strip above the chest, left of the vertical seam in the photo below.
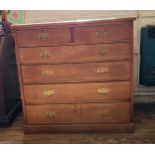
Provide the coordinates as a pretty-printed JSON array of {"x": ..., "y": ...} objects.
[{"x": 42, "y": 16}]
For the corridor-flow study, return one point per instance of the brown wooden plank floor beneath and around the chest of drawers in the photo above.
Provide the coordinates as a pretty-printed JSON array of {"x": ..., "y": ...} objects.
[{"x": 144, "y": 118}]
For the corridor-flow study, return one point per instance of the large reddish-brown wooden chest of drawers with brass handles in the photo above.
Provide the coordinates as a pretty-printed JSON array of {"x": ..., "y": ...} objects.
[{"x": 76, "y": 76}]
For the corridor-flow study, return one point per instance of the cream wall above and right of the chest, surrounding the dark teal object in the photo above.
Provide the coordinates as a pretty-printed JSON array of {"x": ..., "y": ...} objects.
[{"x": 142, "y": 93}]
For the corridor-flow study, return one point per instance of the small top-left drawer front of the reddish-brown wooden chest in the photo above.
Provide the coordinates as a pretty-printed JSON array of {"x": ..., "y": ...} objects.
[{"x": 43, "y": 37}]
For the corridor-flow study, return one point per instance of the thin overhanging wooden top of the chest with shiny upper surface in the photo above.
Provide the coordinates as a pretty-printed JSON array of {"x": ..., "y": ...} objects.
[{"x": 81, "y": 22}]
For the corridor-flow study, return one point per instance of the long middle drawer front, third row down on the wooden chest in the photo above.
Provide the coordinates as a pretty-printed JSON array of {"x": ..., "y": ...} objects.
[{"x": 110, "y": 71}]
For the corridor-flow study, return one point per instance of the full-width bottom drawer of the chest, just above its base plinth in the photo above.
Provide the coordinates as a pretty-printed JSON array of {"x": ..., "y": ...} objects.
[{"x": 118, "y": 112}]
